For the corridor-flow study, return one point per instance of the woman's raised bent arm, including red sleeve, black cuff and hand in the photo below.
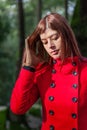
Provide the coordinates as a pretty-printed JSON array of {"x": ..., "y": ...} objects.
[{"x": 25, "y": 92}]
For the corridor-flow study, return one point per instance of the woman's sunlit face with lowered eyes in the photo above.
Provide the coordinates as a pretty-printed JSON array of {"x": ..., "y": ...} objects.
[{"x": 52, "y": 43}]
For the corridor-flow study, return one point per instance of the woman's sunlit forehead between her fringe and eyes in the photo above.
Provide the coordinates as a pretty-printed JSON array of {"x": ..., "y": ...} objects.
[{"x": 48, "y": 33}]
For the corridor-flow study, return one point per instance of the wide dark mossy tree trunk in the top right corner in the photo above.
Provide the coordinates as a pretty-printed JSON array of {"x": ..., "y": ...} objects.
[{"x": 79, "y": 24}]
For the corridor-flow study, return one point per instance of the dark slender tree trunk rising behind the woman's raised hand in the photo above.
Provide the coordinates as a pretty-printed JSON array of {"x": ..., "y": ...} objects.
[{"x": 21, "y": 33}]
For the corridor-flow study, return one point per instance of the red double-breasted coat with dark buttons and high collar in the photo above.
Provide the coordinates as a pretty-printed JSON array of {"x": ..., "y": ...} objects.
[{"x": 63, "y": 92}]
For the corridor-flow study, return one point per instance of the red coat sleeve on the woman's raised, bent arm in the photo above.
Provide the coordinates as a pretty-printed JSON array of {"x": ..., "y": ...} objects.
[{"x": 25, "y": 92}]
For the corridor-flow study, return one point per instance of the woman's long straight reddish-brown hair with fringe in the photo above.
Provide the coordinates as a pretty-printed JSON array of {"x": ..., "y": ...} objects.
[{"x": 58, "y": 23}]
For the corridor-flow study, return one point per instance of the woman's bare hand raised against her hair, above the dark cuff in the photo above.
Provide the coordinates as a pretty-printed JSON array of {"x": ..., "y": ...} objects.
[{"x": 30, "y": 59}]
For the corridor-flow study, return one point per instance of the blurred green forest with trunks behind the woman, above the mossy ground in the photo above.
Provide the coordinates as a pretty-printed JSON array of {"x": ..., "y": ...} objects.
[{"x": 18, "y": 19}]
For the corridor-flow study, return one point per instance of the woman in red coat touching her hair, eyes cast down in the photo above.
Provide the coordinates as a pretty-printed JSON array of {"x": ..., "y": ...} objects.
[{"x": 53, "y": 70}]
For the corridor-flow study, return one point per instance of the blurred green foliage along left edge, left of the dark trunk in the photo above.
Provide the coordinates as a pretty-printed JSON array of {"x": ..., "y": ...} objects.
[{"x": 7, "y": 51}]
